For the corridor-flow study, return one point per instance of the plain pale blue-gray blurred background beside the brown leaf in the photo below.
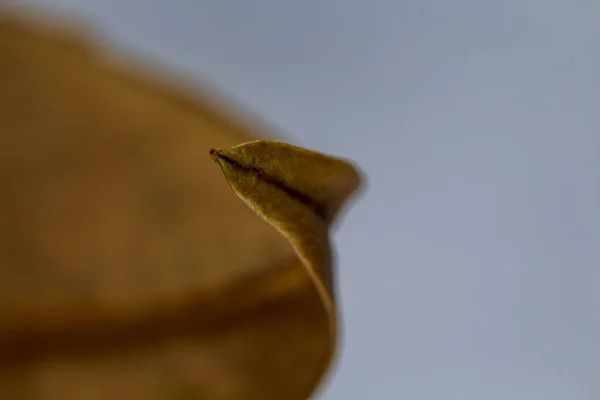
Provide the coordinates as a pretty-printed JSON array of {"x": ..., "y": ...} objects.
[{"x": 470, "y": 269}]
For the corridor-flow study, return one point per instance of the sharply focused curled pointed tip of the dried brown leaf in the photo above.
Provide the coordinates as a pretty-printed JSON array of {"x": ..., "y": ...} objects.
[{"x": 298, "y": 192}]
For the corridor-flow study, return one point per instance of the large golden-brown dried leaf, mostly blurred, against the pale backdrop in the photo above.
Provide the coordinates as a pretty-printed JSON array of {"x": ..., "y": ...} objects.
[{"x": 128, "y": 267}]
